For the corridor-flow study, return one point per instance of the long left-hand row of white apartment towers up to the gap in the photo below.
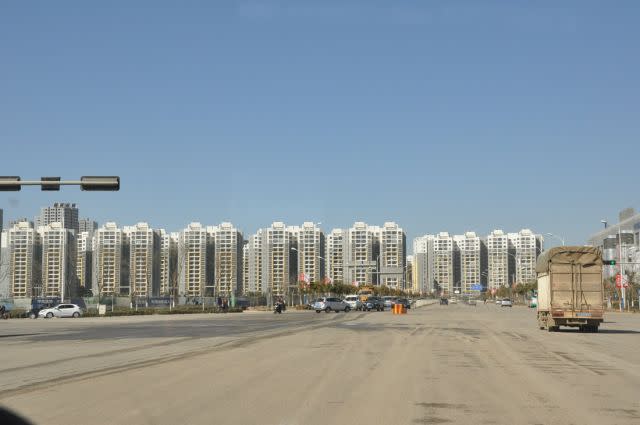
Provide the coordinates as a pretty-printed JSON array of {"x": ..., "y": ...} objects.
[{"x": 53, "y": 260}]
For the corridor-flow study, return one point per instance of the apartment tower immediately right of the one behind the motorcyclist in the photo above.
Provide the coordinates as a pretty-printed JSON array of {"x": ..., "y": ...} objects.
[{"x": 310, "y": 252}]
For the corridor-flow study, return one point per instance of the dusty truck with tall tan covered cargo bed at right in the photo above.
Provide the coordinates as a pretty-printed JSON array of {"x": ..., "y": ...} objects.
[{"x": 570, "y": 288}]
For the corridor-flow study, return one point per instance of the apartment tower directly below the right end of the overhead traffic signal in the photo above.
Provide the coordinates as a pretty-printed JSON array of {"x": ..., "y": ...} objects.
[{"x": 107, "y": 259}]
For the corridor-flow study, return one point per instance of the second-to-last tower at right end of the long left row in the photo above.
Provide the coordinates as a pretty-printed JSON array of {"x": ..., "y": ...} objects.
[{"x": 362, "y": 254}]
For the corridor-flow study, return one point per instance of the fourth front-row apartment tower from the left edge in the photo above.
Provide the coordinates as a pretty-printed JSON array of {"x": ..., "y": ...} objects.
[{"x": 144, "y": 260}]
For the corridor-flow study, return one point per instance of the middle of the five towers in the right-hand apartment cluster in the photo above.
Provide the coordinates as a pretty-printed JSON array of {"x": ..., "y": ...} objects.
[{"x": 471, "y": 262}]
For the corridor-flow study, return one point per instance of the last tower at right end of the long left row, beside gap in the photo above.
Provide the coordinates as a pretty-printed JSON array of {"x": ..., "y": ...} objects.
[{"x": 392, "y": 240}]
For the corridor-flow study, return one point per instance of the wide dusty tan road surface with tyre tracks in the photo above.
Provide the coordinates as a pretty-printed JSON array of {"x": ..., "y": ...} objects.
[{"x": 453, "y": 364}]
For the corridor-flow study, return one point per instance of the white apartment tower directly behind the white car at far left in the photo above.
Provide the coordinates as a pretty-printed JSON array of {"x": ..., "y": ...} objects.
[{"x": 58, "y": 258}]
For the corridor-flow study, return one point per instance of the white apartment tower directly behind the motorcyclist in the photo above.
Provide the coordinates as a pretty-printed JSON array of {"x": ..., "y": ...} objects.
[{"x": 280, "y": 259}]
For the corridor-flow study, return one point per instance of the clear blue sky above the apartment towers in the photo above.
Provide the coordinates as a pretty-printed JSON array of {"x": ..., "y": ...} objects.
[{"x": 440, "y": 115}]
